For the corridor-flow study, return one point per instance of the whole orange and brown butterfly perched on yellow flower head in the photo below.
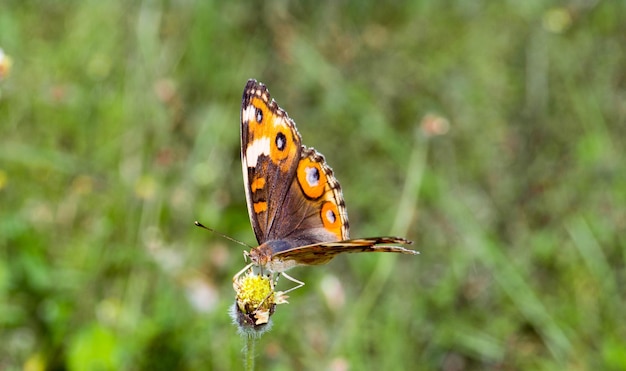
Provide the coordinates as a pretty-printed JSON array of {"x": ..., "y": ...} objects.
[{"x": 295, "y": 203}]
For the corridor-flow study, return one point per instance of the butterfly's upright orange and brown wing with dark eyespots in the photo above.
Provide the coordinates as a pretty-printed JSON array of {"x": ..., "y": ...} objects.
[{"x": 292, "y": 195}]
